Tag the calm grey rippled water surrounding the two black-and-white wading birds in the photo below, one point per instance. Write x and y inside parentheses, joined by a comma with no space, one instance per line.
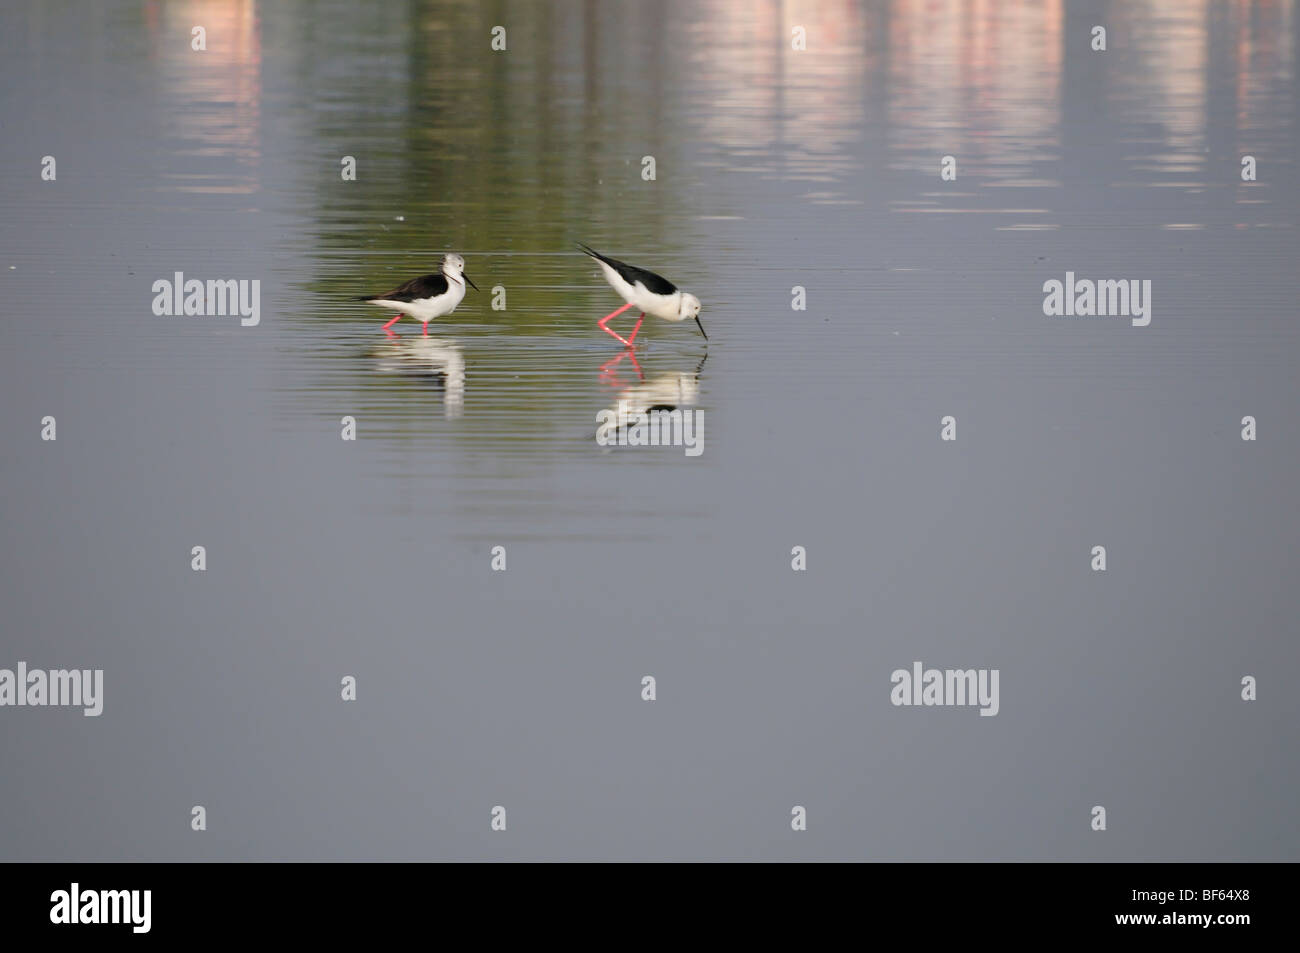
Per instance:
(774,170)
